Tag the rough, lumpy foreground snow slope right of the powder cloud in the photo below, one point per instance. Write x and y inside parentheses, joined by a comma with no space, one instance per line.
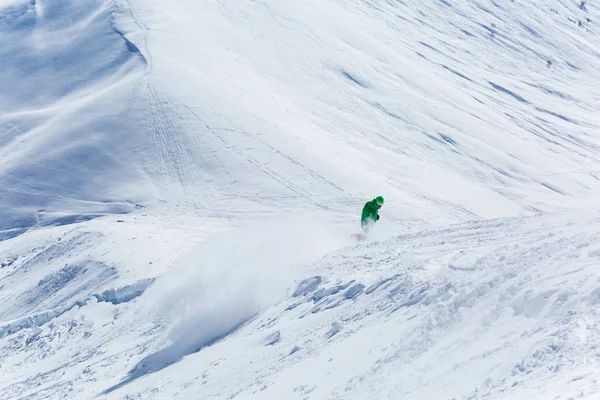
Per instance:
(494,309)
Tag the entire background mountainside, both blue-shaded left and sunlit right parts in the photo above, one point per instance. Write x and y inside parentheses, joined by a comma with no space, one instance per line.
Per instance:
(455,111)
